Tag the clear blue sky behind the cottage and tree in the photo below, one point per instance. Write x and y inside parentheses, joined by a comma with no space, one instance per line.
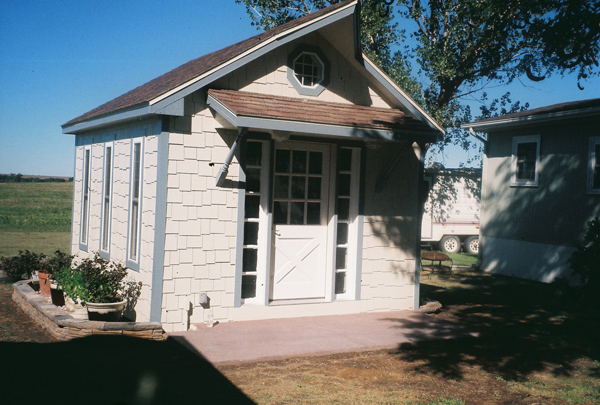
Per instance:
(62,58)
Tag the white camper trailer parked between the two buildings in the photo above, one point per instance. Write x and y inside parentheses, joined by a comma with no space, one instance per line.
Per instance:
(451,217)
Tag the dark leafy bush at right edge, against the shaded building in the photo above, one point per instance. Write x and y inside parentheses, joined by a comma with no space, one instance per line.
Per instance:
(585,262)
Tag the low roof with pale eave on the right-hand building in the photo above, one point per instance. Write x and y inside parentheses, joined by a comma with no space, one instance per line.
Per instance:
(552,112)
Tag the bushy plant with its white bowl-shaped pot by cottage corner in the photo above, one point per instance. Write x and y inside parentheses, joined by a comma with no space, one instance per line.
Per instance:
(105,290)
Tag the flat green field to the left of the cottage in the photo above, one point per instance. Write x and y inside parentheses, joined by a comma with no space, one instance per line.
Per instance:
(35,216)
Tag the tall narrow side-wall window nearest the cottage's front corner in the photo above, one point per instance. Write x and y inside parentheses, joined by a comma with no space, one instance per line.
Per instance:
(135,196)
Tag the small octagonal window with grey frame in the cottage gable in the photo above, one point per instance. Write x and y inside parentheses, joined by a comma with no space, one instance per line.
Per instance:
(308,70)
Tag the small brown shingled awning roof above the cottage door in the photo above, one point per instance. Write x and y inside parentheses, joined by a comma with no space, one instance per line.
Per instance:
(245,109)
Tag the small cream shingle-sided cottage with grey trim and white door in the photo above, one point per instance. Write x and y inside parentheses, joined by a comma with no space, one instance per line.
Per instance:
(296,126)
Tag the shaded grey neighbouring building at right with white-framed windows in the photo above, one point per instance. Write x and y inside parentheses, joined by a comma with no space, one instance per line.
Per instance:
(541,185)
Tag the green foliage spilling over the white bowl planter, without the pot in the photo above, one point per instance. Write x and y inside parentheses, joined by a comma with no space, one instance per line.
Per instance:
(96,279)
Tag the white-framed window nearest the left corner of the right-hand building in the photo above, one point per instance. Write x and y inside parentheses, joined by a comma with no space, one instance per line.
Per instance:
(525,160)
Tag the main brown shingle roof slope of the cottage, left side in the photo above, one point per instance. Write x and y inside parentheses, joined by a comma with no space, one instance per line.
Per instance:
(192,69)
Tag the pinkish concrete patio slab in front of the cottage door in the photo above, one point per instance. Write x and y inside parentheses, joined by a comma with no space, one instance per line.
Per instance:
(248,341)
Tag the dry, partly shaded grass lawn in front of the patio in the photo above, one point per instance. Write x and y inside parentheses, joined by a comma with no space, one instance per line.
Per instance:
(536,347)
